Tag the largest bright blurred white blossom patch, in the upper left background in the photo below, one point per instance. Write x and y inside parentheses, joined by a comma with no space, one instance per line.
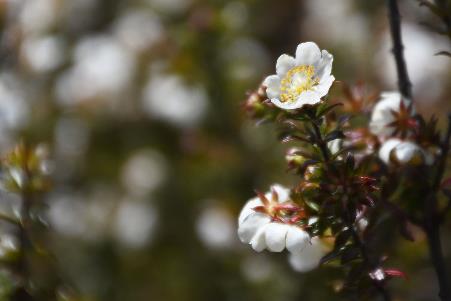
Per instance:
(103,69)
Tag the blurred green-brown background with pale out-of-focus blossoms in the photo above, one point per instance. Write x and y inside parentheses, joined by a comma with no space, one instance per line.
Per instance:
(140,103)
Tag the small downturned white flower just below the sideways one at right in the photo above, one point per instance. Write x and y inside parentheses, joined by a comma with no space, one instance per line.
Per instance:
(404,152)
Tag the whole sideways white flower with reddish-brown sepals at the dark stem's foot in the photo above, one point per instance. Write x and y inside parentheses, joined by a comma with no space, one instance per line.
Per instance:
(391,114)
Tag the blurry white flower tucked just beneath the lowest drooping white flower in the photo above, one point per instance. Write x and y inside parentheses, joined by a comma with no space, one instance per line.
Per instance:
(309,258)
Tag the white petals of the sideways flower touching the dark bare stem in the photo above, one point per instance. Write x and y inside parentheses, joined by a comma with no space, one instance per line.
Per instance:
(383,113)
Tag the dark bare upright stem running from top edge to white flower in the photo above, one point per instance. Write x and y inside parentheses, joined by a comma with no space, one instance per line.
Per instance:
(405,87)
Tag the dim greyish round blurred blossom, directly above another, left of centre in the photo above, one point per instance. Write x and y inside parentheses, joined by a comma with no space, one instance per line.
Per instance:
(143,172)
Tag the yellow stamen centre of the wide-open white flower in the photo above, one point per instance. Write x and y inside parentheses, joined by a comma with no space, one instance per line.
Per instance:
(297,80)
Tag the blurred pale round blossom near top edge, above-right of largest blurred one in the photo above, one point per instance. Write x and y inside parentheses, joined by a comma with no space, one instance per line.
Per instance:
(139,30)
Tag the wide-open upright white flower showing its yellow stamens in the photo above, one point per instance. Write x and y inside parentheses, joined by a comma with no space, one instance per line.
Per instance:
(302,80)
